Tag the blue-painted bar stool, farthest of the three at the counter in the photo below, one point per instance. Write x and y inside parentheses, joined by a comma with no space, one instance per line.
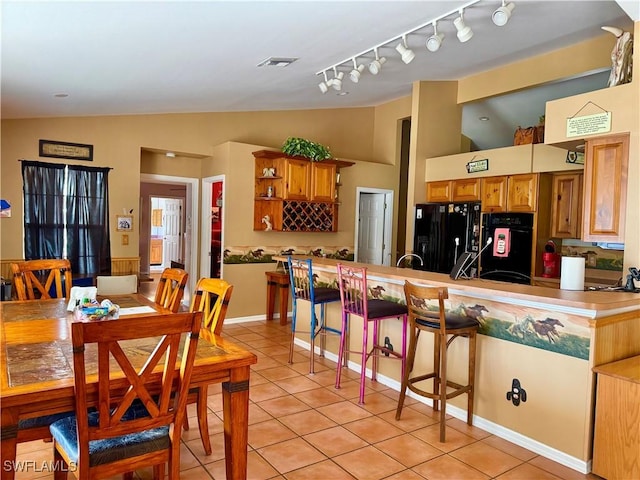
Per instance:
(302,281)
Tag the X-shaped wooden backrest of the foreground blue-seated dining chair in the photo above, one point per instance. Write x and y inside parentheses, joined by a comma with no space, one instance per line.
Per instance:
(132,353)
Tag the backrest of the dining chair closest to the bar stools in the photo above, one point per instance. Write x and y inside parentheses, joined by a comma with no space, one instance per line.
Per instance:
(212,298)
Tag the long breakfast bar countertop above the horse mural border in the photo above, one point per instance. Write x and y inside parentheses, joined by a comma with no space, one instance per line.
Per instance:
(593,304)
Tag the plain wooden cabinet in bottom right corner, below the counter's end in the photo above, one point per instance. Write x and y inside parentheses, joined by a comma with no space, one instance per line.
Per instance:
(616,440)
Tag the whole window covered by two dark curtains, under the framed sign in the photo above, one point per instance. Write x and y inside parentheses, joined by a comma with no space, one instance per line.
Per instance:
(66,215)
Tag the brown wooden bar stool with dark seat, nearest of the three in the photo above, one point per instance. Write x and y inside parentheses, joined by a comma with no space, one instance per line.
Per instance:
(446,328)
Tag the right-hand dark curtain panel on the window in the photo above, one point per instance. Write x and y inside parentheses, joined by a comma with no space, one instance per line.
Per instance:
(88,245)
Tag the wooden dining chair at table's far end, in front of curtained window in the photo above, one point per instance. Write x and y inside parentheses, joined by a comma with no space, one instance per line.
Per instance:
(49,278)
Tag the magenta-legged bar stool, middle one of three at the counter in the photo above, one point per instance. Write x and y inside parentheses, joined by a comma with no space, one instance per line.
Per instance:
(355,301)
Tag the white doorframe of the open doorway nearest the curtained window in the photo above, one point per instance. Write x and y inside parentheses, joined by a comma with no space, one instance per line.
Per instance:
(191,234)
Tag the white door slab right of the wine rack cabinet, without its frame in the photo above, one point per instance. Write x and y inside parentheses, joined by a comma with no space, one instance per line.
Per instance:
(371,228)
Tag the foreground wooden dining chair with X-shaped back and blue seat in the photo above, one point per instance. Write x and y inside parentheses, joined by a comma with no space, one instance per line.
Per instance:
(140,410)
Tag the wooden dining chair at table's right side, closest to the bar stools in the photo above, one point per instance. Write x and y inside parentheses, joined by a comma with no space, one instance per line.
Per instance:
(211,297)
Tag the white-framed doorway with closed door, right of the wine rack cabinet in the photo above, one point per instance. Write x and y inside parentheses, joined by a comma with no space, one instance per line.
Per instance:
(373,225)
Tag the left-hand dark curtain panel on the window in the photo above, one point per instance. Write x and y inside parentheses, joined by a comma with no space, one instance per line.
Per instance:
(43,184)
